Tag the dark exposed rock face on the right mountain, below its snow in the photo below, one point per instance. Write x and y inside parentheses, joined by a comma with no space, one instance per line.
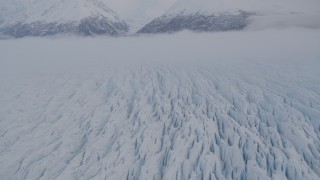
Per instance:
(196,22)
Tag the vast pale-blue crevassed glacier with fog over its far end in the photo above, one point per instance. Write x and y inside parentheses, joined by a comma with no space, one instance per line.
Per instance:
(230,105)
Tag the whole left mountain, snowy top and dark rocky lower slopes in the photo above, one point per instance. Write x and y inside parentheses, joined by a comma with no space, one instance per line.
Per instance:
(41,18)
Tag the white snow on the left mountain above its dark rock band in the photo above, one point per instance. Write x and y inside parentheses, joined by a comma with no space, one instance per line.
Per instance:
(63,11)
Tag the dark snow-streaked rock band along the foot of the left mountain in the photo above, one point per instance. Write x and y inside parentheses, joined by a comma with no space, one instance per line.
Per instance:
(87,26)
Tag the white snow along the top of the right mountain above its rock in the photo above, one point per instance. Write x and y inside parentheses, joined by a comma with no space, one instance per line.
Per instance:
(256,6)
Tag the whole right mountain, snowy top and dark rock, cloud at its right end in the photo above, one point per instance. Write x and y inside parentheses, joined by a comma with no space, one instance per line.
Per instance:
(223,15)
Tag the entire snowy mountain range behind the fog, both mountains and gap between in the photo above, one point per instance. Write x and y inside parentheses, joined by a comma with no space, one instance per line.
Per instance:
(20,18)
